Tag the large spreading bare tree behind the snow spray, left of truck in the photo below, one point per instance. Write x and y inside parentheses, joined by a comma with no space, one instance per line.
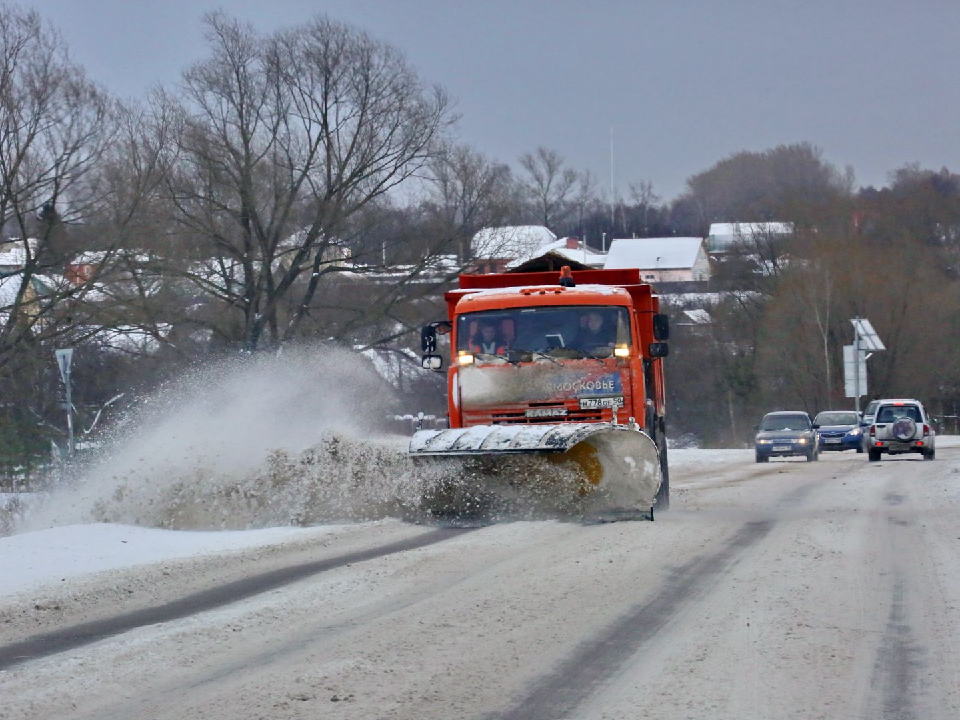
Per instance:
(281,140)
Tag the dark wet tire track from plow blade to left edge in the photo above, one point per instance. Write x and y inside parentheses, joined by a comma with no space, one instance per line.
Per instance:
(69,638)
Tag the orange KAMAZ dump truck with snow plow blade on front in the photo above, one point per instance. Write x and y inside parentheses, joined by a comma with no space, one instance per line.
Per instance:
(562,369)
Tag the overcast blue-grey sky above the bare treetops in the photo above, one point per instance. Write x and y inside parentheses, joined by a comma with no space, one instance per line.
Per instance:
(682,84)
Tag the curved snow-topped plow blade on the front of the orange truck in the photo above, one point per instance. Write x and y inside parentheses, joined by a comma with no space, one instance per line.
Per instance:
(606,471)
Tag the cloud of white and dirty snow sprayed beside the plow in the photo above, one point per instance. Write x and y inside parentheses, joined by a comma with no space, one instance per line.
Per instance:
(247,442)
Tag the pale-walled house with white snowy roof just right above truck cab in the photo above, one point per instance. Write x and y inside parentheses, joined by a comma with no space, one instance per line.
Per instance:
(669,259)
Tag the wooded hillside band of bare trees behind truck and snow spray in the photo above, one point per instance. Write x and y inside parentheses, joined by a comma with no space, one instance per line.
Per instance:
(304,185)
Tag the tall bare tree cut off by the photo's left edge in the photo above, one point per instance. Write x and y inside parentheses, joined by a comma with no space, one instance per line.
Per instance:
(55,127)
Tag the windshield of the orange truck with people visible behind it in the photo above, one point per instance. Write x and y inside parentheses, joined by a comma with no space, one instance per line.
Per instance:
(558,331)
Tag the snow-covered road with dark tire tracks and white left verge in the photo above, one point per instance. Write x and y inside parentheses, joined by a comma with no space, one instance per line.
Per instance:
(790,589)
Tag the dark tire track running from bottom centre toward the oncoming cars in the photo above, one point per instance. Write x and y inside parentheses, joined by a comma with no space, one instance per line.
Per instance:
(576,678)
